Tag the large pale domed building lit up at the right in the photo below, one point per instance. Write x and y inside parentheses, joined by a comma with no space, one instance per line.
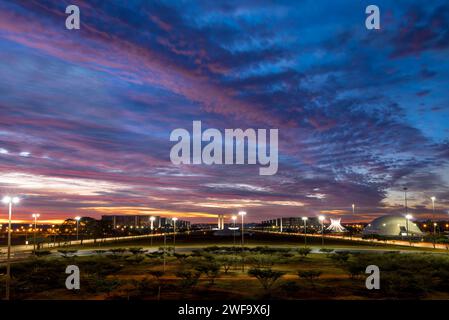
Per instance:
(392,226)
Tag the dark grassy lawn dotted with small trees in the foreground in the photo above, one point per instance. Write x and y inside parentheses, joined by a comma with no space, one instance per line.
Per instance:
(191,275)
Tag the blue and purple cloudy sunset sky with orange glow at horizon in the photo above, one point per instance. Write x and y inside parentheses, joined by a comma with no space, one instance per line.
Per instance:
(86,115)
